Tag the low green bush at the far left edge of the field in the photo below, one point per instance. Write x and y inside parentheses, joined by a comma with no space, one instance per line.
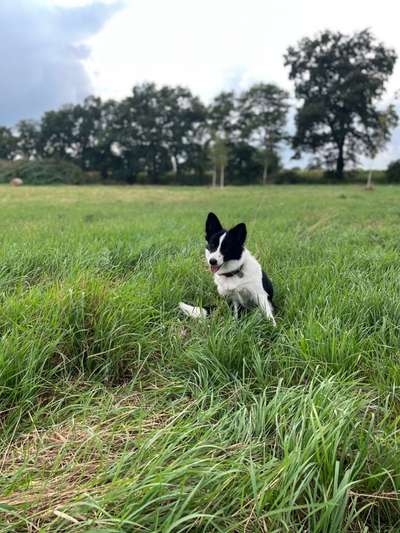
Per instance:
(42,172)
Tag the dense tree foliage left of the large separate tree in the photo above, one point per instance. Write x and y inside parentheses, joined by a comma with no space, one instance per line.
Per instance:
(162,135)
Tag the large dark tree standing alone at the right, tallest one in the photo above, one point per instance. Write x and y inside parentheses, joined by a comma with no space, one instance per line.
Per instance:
(339,80)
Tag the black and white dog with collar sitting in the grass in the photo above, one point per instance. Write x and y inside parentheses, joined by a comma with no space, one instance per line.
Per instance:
(237,274)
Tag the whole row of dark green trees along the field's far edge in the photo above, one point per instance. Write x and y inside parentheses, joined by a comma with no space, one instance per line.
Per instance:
(339,83)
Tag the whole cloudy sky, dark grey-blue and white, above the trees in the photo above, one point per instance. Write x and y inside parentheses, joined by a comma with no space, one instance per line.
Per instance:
(58,51)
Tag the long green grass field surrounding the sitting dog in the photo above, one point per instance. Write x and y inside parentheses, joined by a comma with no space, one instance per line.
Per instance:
(120,415)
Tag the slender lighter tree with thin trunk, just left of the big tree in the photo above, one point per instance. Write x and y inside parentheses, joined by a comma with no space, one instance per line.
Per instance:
(263,115)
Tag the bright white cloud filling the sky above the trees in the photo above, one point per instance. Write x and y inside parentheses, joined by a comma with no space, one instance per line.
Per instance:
(208,45)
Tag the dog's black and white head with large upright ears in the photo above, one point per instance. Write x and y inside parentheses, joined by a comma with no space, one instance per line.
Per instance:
(224,247)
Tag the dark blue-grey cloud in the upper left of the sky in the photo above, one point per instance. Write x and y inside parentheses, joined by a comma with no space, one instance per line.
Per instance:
(42,52)
